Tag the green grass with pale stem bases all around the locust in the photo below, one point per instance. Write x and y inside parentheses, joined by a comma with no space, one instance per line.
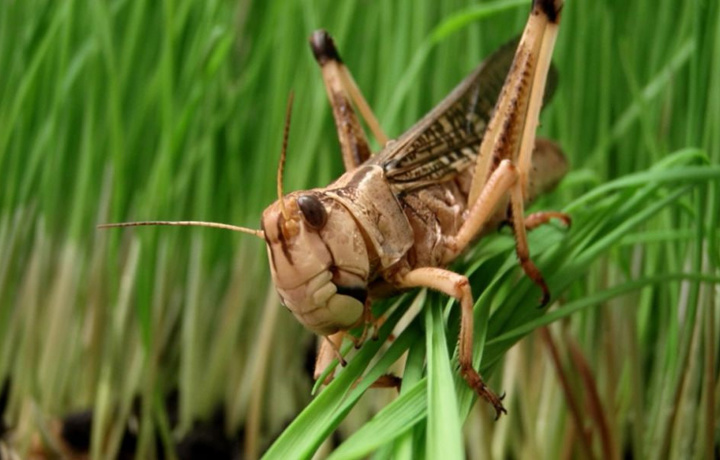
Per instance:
(120,110)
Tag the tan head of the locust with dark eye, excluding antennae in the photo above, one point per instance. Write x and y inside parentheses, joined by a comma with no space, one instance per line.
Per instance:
(318,259)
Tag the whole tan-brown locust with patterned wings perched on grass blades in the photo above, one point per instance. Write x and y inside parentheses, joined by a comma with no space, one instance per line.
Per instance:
(396,219)
